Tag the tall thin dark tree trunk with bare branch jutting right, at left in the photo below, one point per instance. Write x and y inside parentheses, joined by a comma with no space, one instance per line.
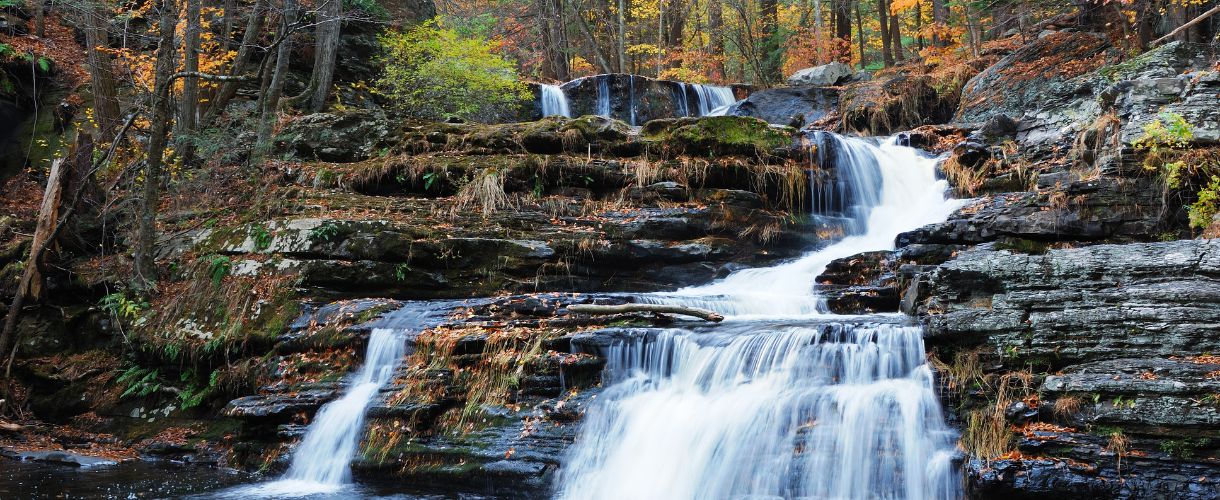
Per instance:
(146,268)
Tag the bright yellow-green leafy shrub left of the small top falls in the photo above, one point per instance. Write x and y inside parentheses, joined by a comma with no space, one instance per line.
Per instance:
(434,73)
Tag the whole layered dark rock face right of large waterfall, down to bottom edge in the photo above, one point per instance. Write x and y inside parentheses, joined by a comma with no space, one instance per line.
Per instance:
(1118,341)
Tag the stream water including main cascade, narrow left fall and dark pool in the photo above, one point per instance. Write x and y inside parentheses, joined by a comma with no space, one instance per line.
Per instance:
(781,401)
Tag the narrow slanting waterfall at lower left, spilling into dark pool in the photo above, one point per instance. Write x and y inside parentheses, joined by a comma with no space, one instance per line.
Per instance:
(321,464)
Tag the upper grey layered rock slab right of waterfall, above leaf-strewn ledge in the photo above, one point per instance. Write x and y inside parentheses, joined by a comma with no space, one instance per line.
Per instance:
(1078,305)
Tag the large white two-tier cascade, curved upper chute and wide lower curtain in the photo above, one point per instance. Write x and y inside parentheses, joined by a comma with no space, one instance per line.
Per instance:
(781,401)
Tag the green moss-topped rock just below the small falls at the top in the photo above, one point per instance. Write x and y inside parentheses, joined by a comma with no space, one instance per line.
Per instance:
(718,136)
